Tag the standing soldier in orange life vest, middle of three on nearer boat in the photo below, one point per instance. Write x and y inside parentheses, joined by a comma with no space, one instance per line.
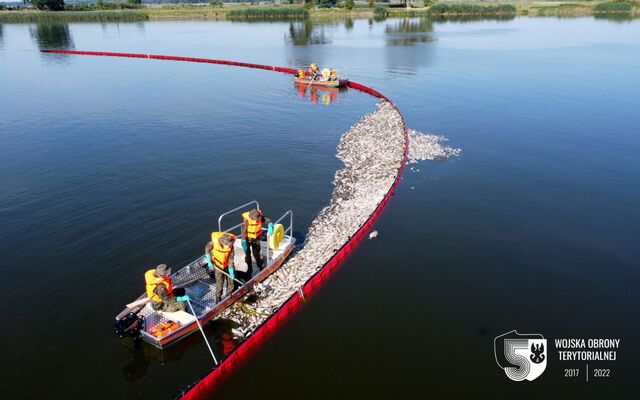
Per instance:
(219,254)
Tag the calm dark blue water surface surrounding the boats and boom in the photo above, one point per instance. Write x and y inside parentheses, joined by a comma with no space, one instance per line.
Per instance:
(111,166)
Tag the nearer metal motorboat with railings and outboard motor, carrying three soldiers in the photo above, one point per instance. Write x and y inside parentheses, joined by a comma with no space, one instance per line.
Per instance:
(162,329)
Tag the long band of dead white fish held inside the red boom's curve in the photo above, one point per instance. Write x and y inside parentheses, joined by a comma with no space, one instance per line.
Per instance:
(372,151)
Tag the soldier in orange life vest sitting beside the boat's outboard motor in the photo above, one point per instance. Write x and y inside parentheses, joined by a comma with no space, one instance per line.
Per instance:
(161,291)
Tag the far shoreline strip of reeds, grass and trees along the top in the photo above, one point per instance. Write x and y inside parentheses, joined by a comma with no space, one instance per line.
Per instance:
(133,10)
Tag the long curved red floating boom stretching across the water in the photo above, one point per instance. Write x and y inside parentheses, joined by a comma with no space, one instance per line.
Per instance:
(203,387)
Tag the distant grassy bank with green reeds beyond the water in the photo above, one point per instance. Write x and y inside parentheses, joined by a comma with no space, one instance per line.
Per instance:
(445,9)
